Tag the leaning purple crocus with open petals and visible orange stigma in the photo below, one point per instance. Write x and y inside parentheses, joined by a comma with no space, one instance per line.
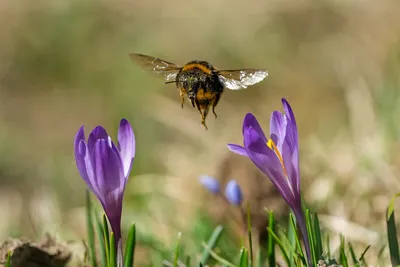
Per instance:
(277,157)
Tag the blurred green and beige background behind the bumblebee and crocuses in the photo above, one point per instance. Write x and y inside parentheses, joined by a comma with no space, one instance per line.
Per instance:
(65,64)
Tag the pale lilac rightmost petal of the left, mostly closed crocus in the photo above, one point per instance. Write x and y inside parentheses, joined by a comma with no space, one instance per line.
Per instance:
(126,141)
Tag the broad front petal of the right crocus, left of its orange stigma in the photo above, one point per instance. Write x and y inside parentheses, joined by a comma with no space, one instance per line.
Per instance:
(267,161)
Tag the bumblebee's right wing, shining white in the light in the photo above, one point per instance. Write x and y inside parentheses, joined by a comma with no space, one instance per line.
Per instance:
(240,79)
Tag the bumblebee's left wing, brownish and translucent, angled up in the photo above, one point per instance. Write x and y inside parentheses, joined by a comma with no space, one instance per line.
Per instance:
(156,65)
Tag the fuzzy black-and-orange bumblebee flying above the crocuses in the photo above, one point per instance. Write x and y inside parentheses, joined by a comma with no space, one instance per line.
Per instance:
(200,81)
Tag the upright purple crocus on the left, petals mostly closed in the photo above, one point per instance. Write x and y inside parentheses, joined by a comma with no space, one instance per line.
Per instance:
(105,168)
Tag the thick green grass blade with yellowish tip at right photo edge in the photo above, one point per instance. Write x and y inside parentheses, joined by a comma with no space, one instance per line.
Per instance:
(392,233)
